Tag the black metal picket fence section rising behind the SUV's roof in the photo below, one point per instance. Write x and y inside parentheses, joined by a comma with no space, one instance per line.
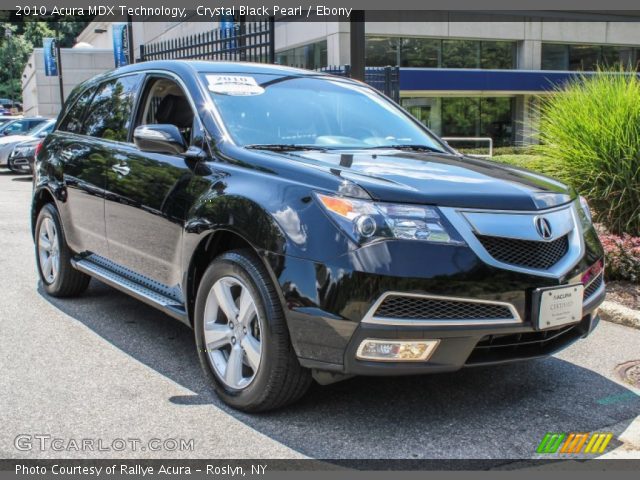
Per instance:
(245,42)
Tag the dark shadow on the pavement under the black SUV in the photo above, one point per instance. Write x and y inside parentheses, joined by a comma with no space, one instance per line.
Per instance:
(500,412)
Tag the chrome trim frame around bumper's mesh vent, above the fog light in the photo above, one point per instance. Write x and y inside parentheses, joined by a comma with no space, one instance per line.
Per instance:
(427,322)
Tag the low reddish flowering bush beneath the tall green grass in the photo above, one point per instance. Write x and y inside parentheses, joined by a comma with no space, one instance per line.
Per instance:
(622,255)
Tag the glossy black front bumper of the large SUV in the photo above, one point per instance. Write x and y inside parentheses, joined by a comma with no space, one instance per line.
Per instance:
(325,307)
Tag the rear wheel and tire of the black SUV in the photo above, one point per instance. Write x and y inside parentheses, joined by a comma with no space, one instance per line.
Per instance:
(59,278)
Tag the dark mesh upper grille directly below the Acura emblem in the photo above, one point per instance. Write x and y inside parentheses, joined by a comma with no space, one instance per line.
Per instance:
(526,253)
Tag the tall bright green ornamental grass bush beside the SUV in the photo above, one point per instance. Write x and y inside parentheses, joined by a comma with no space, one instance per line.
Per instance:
(592,128)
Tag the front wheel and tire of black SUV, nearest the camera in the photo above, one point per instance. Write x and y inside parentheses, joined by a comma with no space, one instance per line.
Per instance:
(278,379)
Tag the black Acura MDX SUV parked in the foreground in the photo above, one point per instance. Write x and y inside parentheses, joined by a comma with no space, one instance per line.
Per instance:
(306,227)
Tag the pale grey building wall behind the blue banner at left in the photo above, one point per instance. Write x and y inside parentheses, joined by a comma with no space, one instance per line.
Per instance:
(41,94)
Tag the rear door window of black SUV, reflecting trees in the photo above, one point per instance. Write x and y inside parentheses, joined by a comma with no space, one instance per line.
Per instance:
(109,115)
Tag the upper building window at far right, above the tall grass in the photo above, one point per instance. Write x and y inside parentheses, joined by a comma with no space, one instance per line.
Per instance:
(556,56)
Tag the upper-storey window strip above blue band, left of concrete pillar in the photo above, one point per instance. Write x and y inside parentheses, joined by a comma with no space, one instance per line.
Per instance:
(438,53)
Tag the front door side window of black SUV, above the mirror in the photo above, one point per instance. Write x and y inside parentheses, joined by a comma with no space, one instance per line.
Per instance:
(166,103)
